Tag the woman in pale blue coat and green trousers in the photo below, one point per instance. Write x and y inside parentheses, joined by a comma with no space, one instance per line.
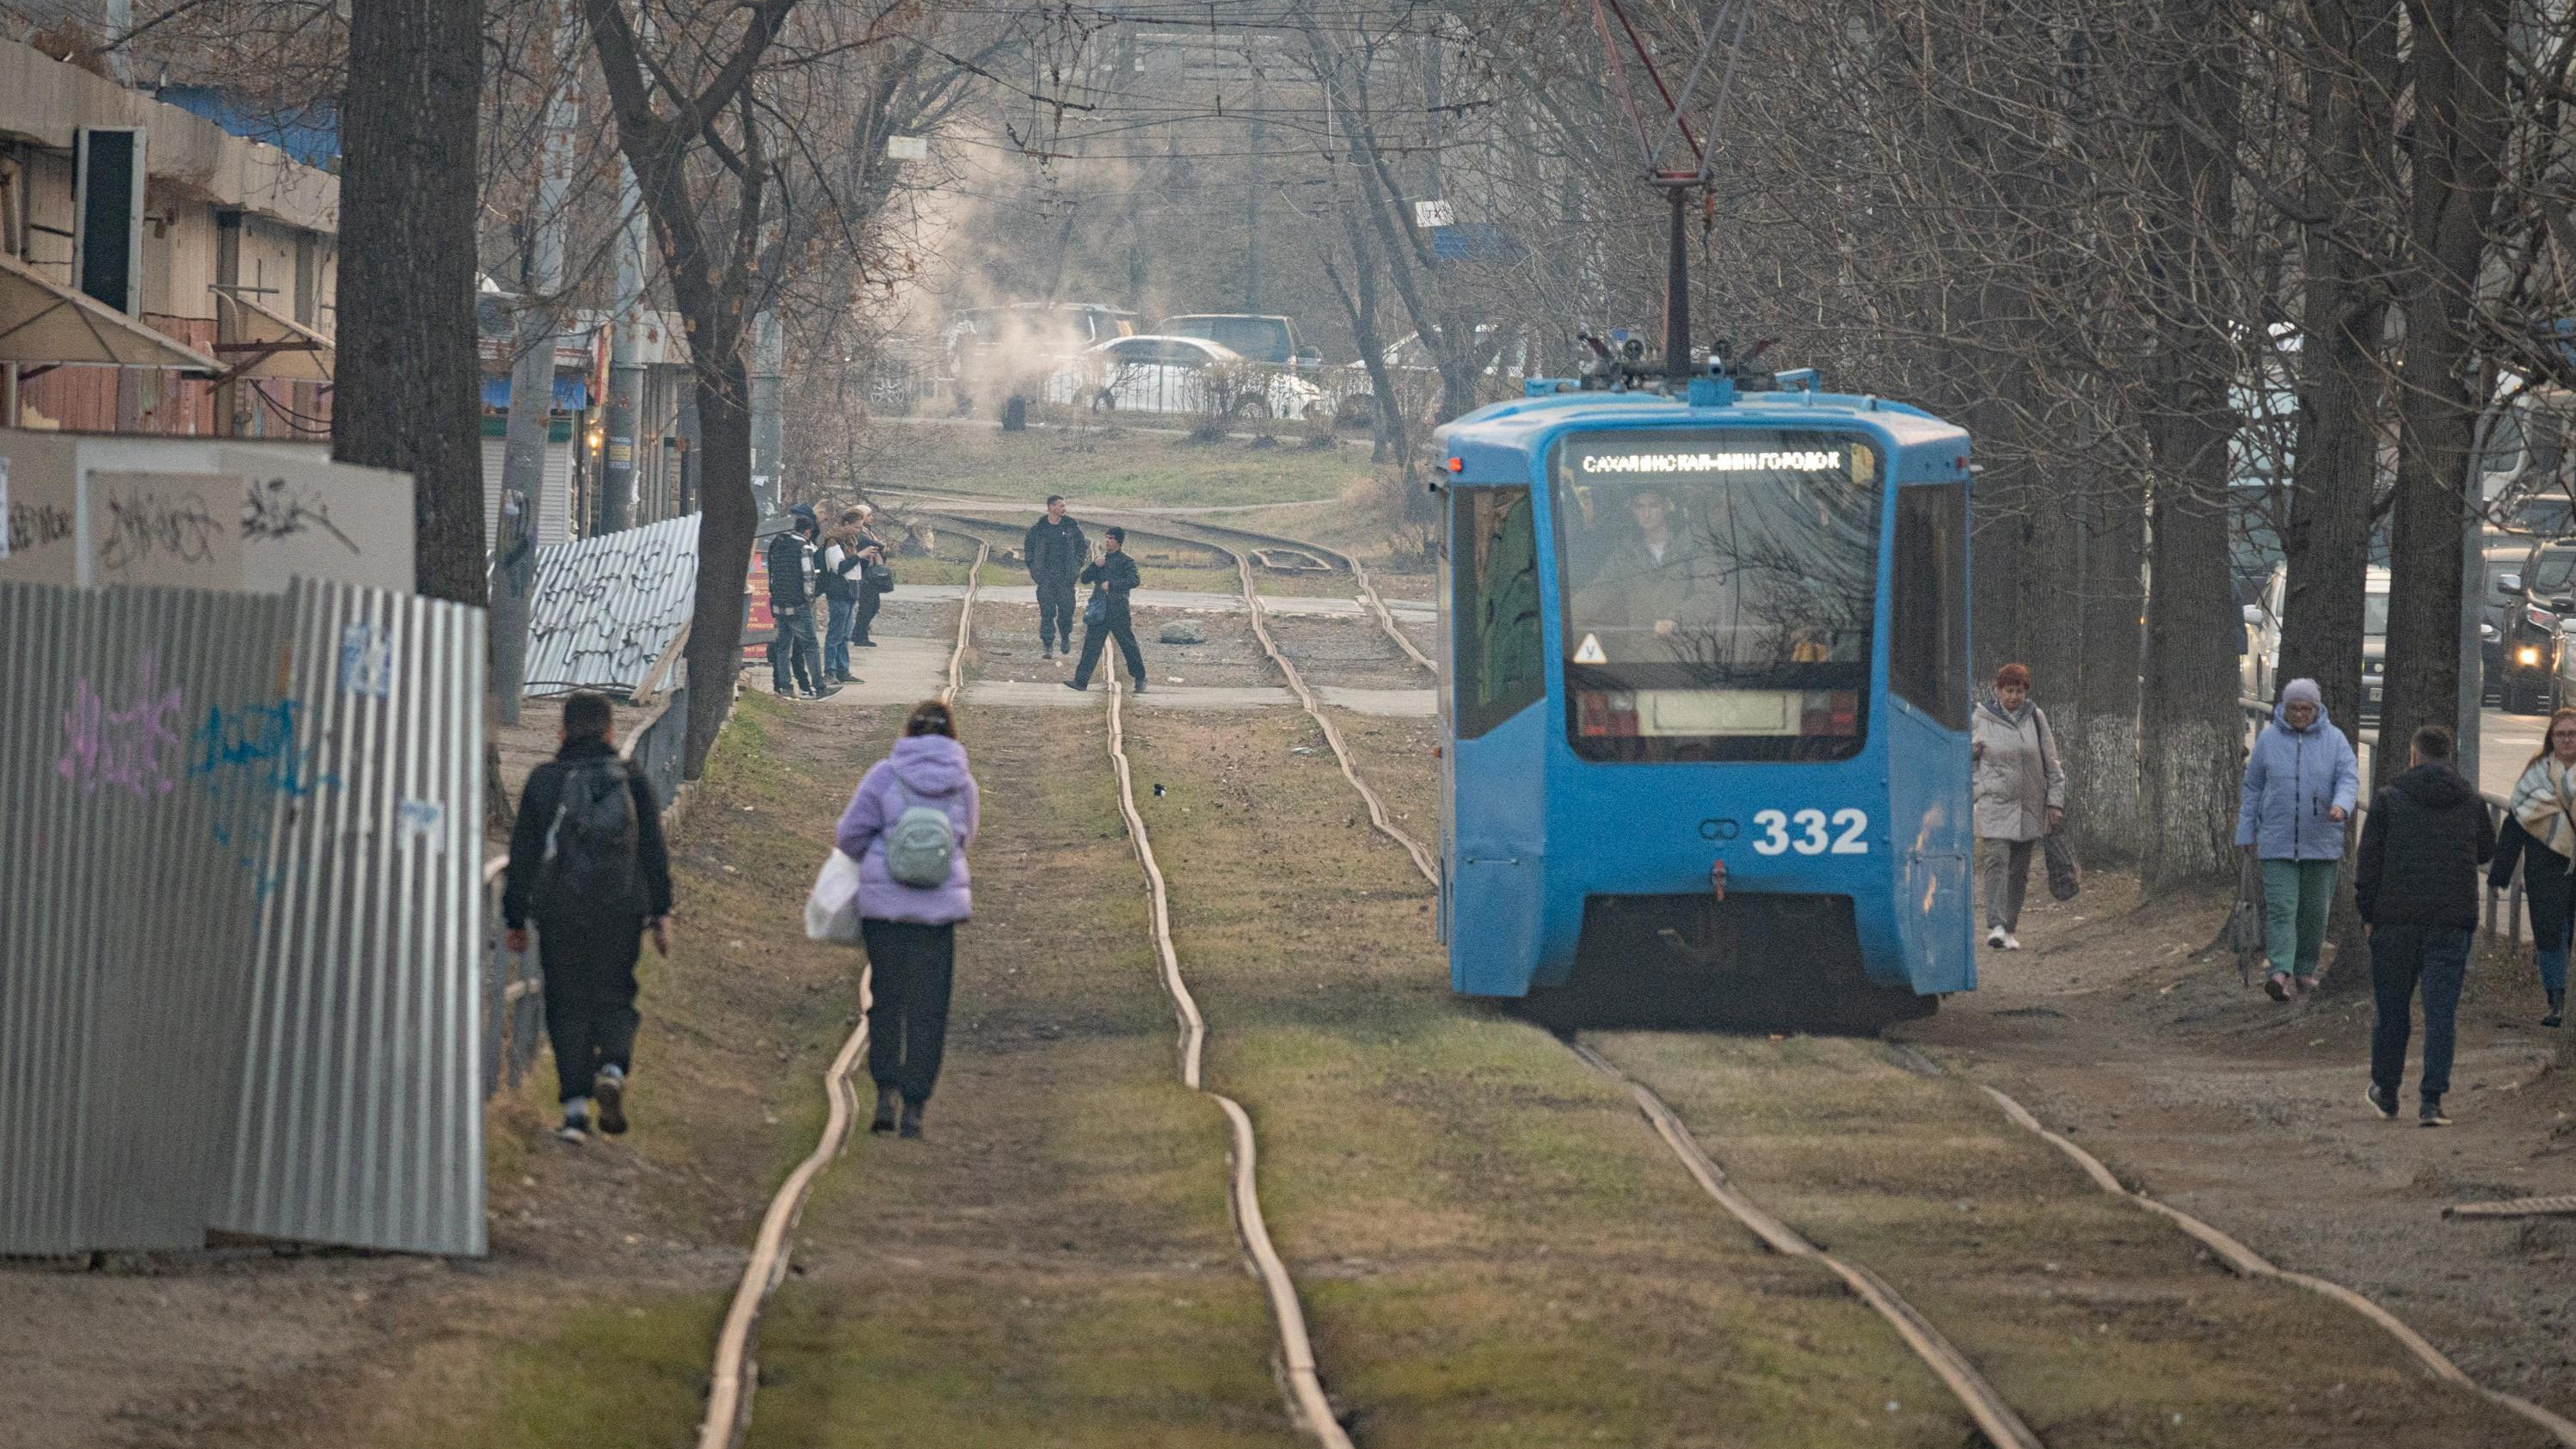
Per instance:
(2302,786)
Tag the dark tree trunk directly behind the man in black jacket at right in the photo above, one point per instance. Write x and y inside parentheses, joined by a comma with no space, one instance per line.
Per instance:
(2459,138)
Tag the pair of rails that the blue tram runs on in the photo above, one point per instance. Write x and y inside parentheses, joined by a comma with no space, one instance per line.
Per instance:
(1980,1399)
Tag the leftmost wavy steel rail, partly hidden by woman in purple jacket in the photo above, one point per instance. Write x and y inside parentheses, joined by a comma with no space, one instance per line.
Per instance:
(735,1371)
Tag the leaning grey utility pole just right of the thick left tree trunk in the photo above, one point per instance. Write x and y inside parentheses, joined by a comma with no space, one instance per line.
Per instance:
(532,385)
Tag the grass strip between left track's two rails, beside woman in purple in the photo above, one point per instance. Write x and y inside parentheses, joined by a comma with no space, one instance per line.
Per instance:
(1055,1262)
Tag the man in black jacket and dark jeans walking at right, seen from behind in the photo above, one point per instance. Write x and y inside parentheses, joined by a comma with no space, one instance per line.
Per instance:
(2418,889)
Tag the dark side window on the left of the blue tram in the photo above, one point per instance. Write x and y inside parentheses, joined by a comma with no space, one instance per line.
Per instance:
(1501,665)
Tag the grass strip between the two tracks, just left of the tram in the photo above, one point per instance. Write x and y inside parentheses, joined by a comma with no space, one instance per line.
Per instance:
(1490,1242)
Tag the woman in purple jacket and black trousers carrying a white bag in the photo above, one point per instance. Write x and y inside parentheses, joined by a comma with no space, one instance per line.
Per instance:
(911,930)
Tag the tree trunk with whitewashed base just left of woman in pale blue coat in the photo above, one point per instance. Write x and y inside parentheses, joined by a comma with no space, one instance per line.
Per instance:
(2191,722)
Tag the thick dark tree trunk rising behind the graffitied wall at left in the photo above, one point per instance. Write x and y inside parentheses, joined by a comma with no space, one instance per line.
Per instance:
(408,199)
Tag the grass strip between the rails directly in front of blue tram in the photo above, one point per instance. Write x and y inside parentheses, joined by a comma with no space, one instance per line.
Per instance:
(2096,1319)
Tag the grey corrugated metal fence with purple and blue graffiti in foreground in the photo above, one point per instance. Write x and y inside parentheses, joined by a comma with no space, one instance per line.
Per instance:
(241,923)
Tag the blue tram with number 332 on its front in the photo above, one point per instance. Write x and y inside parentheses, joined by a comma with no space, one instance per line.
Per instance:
(1707,704)
